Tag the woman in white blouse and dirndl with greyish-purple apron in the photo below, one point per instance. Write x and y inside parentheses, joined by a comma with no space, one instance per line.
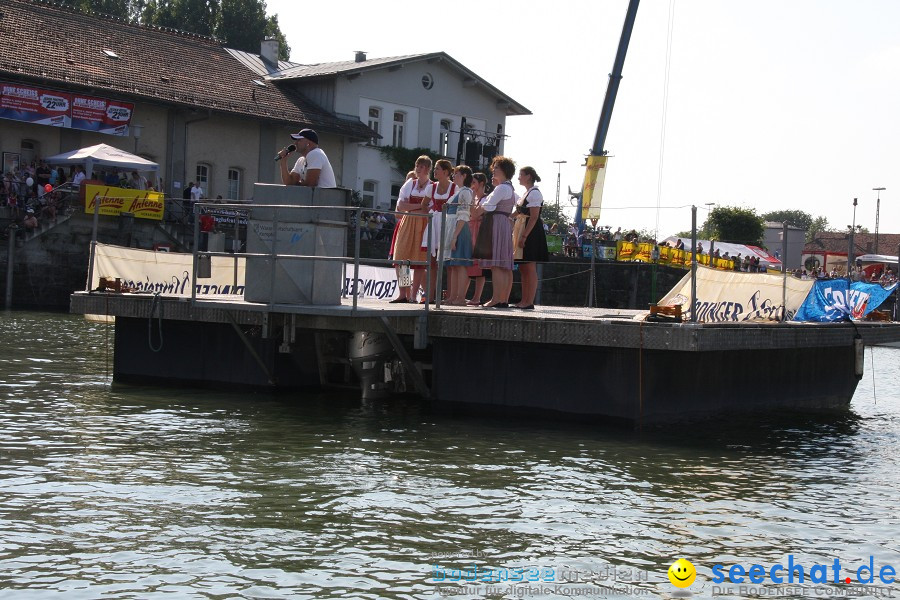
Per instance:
(494,247)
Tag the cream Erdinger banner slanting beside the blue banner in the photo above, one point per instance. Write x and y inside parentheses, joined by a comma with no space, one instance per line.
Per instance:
(724,296)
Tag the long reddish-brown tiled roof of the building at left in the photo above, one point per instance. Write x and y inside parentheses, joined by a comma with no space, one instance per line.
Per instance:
(52,45)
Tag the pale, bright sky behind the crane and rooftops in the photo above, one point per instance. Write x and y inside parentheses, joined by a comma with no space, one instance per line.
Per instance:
(771,104)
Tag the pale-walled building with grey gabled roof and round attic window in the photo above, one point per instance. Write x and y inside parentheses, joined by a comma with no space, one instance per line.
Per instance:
(416,101)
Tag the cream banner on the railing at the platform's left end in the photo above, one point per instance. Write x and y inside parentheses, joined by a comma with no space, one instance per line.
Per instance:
(166,273)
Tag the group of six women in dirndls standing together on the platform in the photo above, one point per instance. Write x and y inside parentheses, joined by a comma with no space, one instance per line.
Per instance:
(493,231)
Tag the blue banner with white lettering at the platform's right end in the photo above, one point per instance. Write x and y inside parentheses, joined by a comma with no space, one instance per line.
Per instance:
(838,300)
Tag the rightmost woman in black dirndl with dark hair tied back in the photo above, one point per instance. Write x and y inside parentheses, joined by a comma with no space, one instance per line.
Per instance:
(529,239)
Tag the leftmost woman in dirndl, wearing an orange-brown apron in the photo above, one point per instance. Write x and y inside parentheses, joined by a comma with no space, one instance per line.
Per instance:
(413,200)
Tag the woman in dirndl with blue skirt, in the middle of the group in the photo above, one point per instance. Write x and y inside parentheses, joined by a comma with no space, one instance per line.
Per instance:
(459,240)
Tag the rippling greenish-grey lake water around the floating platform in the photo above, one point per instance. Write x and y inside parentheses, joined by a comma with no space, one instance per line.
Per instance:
(118,491)
